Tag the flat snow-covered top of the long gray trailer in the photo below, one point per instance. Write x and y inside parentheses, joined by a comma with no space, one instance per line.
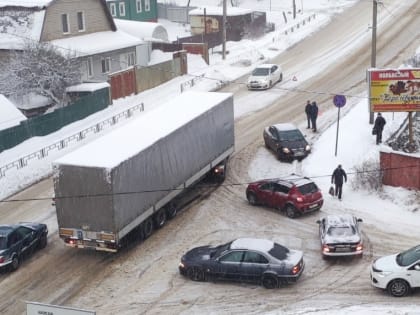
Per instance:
(118,146)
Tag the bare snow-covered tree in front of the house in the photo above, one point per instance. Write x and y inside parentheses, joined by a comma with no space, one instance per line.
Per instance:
(39,69)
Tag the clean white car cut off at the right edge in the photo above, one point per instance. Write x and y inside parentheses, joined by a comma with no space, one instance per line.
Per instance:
(398,273)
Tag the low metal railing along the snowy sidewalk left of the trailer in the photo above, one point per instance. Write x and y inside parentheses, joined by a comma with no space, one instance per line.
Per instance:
(79,136)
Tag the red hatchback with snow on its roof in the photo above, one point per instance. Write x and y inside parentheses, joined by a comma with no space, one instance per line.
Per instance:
(294,194)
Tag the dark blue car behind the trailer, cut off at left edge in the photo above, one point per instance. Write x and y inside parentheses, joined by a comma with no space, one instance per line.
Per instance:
(19,241)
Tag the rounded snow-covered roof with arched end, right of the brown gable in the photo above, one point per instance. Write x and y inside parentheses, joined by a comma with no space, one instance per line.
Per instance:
(147,31)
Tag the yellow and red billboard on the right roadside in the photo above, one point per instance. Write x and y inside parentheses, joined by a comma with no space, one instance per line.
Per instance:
(394,90)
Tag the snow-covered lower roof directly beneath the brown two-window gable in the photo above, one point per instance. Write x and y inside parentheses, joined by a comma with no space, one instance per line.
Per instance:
(95,43)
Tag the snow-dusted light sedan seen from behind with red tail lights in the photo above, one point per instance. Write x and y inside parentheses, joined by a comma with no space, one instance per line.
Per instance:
(340,235)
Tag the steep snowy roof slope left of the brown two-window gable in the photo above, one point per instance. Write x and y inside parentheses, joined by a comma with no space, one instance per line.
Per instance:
(14,31)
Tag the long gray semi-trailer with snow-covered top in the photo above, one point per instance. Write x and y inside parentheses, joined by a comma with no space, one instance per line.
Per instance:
(126,181)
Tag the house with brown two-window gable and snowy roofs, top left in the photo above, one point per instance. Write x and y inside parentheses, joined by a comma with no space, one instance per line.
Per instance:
(81,29)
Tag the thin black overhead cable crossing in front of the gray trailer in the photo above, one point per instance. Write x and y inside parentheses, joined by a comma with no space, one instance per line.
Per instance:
(198,186)
